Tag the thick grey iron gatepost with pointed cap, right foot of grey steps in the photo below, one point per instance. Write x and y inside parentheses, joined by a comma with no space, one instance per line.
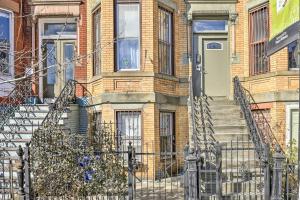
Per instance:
(277,175)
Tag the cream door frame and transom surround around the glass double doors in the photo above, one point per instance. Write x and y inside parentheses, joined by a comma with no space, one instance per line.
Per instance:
(42,37)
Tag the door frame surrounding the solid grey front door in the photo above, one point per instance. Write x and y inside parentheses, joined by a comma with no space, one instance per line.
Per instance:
(199,38)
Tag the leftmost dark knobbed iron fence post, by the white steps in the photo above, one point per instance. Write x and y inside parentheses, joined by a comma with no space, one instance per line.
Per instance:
(20,173)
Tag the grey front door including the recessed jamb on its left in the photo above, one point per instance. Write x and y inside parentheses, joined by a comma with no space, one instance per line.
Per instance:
(212,60)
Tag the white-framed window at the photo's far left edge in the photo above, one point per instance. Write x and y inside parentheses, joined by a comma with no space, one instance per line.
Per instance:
(6,41)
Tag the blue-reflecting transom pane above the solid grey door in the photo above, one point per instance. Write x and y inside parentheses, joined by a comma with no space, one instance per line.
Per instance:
(209,25)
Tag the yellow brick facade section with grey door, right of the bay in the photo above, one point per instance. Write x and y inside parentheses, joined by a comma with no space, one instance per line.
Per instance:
(240,30)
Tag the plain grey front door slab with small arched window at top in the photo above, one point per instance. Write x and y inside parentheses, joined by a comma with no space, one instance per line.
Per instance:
(216,67)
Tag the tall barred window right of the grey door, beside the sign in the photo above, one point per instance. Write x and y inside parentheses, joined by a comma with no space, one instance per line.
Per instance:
(259,35)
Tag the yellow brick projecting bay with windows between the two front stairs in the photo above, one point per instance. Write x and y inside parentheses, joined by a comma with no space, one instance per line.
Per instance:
(139,70)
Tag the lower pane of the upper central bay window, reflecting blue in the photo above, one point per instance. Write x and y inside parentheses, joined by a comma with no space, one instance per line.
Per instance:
(128,53)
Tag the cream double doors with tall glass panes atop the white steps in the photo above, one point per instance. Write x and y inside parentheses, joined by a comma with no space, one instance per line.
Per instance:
(58,65)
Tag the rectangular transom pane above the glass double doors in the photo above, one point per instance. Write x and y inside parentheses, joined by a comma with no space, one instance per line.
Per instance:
(60,28)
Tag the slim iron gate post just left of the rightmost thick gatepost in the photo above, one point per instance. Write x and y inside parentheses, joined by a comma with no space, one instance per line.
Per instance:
(267,185)
